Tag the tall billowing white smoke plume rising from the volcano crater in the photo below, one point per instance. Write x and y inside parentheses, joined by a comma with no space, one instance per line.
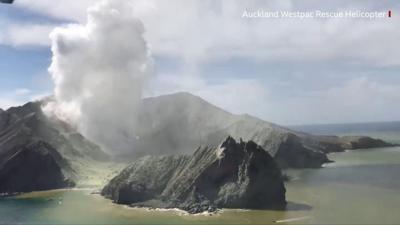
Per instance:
(99,70)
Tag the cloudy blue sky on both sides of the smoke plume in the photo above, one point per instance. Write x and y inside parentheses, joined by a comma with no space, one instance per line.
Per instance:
(284,71)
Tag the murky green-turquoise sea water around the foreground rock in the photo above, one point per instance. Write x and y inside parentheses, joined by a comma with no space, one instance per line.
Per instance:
(361,187)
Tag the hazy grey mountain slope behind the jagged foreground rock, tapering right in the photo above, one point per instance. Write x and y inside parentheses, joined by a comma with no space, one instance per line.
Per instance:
(174,123)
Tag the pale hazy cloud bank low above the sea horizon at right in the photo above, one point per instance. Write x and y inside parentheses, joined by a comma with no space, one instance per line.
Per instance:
(356,100)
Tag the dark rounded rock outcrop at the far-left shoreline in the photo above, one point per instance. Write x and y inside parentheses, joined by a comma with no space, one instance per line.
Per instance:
(33,166)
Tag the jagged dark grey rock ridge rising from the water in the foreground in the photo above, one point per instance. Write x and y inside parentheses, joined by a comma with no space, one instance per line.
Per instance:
(234,175)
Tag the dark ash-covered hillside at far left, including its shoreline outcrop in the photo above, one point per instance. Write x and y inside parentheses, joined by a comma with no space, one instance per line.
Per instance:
(37,152)
